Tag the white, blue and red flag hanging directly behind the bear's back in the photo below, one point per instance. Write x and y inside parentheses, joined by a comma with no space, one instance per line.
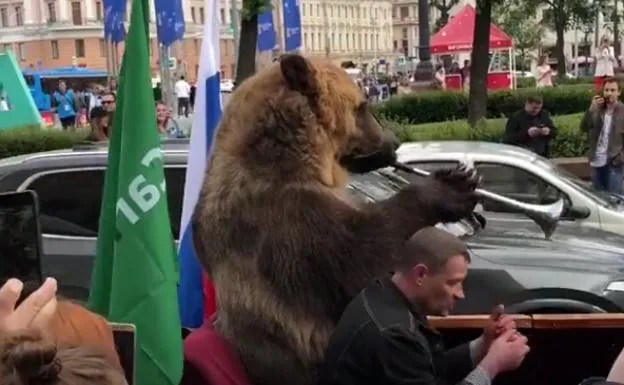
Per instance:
(196,296)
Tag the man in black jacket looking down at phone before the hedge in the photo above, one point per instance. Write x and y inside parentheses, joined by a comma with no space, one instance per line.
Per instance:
(531,127)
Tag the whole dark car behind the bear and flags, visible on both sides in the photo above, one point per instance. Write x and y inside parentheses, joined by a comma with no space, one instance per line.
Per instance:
(510,264)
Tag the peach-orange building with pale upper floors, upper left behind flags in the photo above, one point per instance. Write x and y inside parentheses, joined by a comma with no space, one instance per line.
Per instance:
(53,33)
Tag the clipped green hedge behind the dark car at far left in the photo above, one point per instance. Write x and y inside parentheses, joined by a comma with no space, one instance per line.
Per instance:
(25,140)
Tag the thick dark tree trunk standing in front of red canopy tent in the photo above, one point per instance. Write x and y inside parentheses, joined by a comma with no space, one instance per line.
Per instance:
(477,100)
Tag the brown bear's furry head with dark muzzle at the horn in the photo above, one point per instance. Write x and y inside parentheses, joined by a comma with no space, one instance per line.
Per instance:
(304,116)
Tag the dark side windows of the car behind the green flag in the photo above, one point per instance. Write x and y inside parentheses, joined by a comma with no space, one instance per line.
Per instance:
(69,201)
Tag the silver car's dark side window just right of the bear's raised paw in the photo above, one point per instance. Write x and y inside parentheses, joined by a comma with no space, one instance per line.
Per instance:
(516,183)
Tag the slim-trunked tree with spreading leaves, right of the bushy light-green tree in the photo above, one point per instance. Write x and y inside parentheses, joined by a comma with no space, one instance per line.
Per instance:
(560,16)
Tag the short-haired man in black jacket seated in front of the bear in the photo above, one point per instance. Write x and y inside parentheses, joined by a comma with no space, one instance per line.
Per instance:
(383,337)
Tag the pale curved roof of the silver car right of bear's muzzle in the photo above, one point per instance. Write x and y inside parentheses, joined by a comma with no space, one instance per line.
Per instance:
(433,148)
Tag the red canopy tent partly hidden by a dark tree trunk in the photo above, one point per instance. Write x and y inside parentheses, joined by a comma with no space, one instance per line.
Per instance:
(457,35)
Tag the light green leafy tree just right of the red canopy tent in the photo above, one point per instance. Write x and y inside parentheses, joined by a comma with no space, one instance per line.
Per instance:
(520,22)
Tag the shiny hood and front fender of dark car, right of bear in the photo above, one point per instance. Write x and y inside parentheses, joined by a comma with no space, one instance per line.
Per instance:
(514,263)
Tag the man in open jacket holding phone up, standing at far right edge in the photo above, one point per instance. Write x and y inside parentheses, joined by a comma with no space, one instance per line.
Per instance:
(604,124)
